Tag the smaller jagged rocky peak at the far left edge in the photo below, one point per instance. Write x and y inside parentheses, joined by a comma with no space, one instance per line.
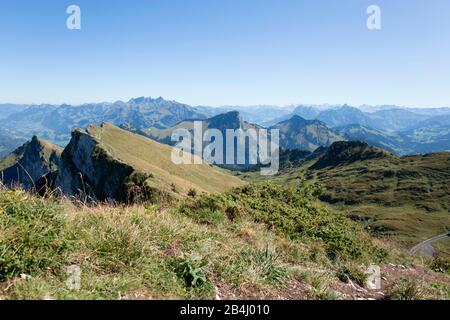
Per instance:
(26,165)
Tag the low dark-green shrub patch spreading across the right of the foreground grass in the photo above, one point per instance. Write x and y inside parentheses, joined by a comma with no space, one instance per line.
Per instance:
(293,213)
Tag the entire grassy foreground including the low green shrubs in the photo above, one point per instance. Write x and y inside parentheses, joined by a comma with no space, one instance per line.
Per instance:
(263,241)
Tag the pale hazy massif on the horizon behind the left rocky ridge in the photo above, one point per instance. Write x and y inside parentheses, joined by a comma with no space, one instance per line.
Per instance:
(55,123)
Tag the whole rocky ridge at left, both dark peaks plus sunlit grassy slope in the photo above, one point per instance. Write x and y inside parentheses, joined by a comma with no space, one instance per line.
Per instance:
(107,163)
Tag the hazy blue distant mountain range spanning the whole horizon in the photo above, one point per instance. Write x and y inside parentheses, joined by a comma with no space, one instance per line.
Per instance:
(306,127)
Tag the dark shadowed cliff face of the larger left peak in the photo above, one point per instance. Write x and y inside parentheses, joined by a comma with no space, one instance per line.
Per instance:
(88,170)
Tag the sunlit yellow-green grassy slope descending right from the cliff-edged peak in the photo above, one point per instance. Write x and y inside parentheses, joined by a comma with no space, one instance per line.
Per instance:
(155,158)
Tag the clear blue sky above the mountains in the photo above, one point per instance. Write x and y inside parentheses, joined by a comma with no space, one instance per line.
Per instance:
(226,52)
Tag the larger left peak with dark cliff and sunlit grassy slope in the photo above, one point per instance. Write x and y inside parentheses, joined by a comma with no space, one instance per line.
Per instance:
(107,162)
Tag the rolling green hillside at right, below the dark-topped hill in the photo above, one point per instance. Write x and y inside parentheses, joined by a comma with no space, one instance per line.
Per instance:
(408,198)
